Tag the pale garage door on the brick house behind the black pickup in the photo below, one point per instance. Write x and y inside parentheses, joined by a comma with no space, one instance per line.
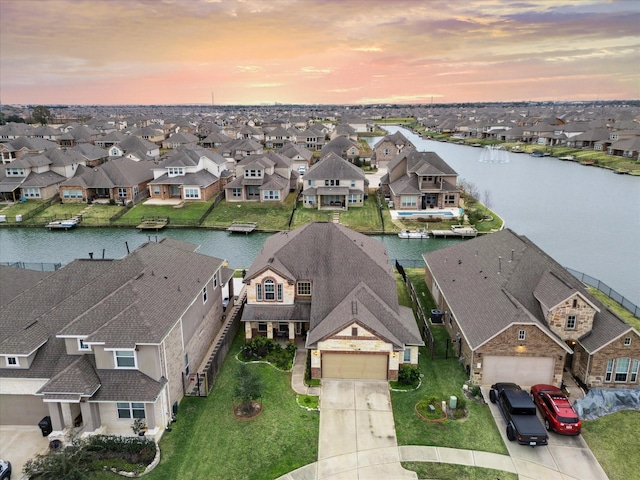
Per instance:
(521,370)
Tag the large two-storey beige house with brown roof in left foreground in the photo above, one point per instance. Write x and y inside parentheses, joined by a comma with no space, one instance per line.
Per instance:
(99,343)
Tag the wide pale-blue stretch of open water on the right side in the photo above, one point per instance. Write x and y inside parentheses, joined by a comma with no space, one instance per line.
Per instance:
(586,218)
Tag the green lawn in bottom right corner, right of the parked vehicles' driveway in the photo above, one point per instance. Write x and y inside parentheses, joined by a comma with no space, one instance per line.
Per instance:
(613,439)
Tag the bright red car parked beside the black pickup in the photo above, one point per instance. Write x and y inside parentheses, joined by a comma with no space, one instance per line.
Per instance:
(556,409)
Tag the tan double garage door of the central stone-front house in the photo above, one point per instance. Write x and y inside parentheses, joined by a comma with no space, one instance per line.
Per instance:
(371,366)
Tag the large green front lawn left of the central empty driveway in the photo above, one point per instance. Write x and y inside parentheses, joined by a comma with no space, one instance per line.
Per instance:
(208,442)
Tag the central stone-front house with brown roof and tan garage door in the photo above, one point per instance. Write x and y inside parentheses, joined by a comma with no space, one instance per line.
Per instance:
(335,288)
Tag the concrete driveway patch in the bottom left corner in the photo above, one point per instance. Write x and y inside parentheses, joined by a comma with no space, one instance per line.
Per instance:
(19,444)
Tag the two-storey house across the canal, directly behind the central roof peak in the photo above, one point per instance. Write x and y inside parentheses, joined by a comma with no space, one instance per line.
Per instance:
(334,183)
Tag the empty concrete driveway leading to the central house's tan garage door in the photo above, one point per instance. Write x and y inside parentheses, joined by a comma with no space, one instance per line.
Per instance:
(357,434)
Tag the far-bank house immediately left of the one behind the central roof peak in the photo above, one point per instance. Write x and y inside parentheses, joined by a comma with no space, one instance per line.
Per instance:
(262,178)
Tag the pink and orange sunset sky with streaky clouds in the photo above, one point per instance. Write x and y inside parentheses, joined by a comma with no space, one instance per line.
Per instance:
(249,52)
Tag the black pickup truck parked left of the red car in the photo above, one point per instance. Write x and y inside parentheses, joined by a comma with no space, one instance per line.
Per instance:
(519,413)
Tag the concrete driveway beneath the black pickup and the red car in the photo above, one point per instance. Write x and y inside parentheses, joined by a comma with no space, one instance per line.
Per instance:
(569,456)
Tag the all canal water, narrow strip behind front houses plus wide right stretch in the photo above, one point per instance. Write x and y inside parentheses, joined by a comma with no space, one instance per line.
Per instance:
(586,218)
